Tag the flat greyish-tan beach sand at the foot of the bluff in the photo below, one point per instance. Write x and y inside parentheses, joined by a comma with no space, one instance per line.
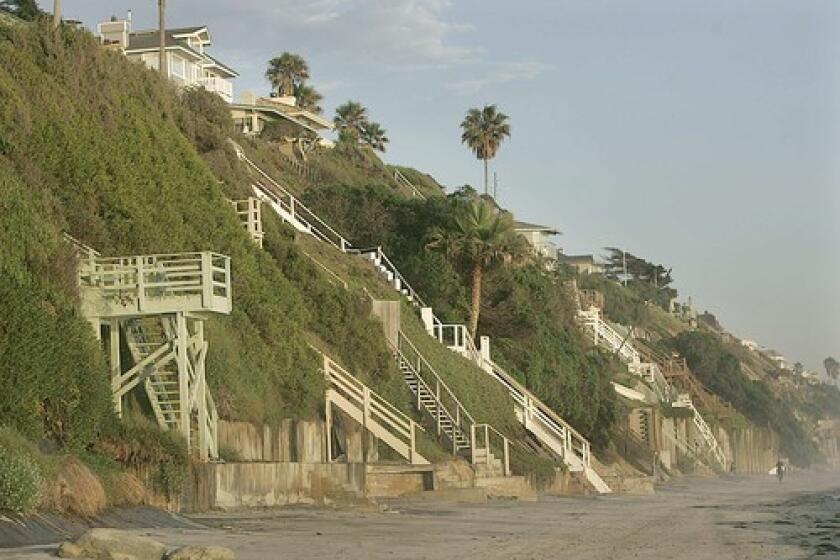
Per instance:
(733,517)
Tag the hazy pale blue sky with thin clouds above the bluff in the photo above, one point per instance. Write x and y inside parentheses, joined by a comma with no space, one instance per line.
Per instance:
(702,135)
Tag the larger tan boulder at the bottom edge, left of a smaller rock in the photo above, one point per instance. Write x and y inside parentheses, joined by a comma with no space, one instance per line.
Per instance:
(112,544)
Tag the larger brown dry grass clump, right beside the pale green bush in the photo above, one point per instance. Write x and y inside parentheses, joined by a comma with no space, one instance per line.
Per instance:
(75,491)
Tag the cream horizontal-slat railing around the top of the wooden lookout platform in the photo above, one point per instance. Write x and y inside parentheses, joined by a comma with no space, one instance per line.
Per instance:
(200,279)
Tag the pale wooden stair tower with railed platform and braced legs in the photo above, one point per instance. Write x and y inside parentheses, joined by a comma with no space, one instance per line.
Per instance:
(157,305)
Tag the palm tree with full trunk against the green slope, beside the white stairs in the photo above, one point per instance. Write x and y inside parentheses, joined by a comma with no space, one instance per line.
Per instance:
(481,237)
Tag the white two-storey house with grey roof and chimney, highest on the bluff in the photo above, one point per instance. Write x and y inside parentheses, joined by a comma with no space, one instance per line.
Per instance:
(187,60)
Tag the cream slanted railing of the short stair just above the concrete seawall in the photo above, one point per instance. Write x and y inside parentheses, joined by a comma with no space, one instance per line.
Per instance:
(374,413)
